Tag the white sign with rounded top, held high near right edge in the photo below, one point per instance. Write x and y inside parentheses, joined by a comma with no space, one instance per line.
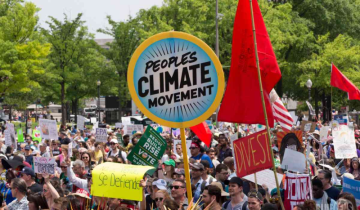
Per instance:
(344,142)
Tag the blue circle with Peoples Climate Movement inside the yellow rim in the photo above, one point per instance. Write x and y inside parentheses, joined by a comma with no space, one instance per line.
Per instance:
(175,79)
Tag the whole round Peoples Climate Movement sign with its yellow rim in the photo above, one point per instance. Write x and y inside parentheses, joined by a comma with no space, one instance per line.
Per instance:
(175,79)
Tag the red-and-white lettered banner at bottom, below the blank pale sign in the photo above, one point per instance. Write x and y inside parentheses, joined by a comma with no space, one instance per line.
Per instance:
(297,189)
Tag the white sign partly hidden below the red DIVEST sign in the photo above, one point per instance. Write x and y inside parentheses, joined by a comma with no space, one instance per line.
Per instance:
(264,177)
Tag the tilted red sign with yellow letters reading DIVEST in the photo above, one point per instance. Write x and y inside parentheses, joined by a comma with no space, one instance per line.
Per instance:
(252,154)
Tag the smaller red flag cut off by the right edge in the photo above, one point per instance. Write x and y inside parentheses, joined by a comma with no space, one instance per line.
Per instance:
(343,83)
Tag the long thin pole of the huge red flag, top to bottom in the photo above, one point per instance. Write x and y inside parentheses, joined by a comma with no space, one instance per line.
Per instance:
(263,104)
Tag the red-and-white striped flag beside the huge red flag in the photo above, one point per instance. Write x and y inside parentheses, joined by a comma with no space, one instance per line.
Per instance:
(281,114)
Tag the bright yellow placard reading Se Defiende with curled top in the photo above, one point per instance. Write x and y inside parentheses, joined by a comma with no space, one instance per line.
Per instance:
(114,180)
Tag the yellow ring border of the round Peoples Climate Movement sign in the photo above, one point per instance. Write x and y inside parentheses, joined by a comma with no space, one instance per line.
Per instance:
(203,46)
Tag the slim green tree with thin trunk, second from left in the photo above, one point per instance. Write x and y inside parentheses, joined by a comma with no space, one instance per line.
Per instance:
(65,38)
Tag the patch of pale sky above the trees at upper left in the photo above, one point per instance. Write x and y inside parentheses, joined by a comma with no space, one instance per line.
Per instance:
(94,11)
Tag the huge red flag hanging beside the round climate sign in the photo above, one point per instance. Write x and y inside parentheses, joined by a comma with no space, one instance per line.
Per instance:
(242,99)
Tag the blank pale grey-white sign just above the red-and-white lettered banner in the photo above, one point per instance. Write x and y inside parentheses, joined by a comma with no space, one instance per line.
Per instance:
(293,161)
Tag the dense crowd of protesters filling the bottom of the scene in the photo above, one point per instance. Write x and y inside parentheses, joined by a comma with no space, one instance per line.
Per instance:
(214,182)
